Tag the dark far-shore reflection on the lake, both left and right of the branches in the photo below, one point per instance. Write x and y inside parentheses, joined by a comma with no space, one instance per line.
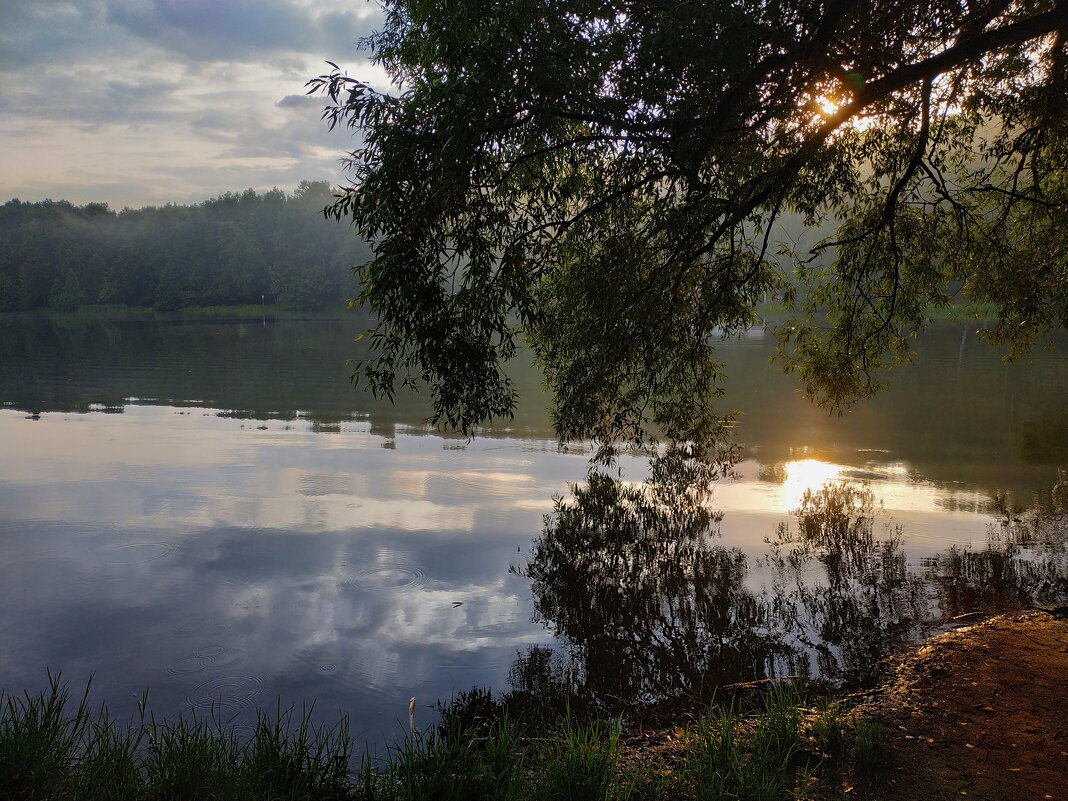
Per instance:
(957,415)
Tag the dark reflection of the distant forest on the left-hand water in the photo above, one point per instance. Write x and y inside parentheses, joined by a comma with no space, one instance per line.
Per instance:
(291,369)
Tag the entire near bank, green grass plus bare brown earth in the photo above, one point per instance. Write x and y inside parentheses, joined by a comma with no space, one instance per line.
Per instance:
(980,712)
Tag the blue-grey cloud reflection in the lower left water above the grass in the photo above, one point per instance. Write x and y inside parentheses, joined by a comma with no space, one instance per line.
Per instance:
(240,617)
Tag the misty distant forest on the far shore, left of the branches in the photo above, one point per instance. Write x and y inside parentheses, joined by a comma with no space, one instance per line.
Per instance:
(240,248)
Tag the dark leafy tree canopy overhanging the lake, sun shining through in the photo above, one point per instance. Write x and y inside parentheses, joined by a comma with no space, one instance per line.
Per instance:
(619,183)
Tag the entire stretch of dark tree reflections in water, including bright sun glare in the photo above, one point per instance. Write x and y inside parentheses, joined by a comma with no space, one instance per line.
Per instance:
(654,609)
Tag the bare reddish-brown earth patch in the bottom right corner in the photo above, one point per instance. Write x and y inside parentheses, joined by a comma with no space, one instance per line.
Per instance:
(981,713)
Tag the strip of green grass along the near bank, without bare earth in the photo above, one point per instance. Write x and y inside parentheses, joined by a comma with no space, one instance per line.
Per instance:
(56,746)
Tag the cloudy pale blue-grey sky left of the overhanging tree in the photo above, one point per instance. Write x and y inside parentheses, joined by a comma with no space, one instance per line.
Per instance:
(139,103)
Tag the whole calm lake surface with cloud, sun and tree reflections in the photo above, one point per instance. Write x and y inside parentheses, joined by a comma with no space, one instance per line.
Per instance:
(208,510)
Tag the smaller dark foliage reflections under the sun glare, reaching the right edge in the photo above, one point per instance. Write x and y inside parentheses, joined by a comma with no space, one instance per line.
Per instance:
(869,602)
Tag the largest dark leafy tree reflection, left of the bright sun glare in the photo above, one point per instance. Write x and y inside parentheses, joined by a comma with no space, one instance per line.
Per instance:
(651,607)
